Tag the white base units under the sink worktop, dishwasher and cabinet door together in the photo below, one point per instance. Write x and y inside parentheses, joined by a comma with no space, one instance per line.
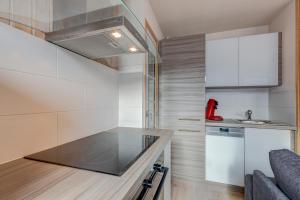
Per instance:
(229,159)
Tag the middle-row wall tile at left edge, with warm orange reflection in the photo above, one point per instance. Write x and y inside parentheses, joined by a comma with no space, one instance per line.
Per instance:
(24,93)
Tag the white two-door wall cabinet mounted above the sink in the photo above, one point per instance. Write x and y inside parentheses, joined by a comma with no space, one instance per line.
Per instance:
(248,61)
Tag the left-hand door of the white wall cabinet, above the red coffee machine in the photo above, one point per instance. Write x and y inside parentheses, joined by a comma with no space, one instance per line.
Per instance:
(222,63)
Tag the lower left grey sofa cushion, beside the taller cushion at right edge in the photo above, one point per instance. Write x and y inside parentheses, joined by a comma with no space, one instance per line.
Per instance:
(265,189)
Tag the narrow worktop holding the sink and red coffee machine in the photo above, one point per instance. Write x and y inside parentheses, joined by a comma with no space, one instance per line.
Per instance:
(236,123)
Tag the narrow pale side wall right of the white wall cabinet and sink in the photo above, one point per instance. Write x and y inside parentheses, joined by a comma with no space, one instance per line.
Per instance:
(283,99)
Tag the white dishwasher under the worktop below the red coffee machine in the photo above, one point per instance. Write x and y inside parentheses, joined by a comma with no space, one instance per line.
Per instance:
(224,156)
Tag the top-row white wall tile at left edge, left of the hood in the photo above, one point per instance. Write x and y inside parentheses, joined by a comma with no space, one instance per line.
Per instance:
(23,52)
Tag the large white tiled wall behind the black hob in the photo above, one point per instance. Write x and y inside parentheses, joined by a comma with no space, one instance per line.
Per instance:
(50,96)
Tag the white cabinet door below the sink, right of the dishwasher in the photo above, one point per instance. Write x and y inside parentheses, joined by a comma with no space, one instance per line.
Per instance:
(258,144)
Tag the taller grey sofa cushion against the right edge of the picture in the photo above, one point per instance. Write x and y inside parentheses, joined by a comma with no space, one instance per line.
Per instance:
(286,168)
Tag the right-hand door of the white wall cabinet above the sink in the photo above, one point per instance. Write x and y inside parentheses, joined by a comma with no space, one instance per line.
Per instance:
(258,60)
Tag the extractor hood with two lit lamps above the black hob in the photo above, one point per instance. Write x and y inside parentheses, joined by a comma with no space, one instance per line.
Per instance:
(99,34)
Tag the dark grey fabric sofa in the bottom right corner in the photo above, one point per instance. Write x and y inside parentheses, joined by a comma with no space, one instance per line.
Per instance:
(284,186)
